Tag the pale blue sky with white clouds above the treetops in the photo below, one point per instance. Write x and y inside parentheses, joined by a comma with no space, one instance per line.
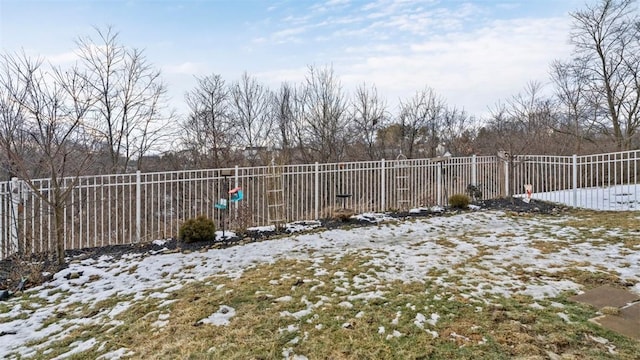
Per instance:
(473,53)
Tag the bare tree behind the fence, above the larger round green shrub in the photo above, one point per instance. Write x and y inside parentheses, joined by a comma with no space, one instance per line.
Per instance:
(207,130)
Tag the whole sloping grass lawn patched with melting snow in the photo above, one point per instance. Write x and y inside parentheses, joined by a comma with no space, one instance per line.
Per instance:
(477,285)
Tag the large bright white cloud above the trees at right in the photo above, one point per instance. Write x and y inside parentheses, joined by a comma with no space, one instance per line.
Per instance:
(473,70)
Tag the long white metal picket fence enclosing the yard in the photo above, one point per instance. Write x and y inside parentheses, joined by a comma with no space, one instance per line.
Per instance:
(140,207)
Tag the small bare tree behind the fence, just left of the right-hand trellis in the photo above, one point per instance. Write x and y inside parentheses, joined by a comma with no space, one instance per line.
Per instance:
(369,115)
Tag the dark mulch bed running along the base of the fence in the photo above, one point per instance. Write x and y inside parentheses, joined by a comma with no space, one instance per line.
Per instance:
(11,269)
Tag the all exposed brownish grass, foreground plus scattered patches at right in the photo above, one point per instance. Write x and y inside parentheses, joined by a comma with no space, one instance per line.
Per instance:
(340,326)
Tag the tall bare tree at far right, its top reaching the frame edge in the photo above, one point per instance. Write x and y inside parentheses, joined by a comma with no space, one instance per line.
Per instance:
(607,37)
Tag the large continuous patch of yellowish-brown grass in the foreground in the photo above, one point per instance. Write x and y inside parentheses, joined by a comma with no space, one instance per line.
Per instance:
(331,331)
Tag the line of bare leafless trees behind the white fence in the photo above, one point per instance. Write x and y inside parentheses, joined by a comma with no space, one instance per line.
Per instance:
(109,113)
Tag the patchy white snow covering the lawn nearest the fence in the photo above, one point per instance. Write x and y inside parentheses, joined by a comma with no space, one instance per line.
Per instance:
(401,250)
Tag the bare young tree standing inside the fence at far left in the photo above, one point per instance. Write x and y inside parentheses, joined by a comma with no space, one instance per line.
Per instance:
(47,108)
